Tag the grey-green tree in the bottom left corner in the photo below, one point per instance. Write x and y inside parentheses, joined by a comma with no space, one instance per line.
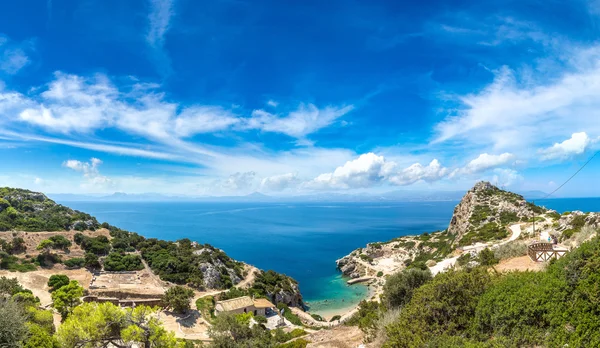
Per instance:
(12,324)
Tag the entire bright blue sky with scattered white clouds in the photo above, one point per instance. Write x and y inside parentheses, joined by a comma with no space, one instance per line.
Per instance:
(231,97)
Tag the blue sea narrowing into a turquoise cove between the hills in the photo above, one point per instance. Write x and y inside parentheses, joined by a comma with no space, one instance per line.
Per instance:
(301,240)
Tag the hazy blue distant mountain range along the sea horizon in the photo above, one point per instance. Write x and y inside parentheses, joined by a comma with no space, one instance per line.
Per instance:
(393,196)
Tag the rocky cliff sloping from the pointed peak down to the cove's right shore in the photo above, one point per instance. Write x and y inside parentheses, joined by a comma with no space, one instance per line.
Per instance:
(483,215)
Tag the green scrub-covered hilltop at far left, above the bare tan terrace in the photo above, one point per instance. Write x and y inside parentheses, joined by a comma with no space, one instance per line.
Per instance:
(25,210)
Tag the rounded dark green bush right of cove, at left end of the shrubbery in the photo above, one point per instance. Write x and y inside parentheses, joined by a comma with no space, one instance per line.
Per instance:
(399,287)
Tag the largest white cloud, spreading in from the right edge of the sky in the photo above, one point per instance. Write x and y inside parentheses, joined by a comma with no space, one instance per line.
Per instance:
(522,110)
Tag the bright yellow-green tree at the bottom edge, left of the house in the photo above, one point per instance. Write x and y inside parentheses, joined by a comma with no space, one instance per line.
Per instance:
(104,324)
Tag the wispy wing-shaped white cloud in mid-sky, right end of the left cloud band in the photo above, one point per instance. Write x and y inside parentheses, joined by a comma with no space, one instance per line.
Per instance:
(305,120)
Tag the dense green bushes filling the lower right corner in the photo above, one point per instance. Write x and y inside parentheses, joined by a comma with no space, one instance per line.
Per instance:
(474,307)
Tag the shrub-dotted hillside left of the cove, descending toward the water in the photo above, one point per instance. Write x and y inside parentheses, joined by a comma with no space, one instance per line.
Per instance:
(75,240)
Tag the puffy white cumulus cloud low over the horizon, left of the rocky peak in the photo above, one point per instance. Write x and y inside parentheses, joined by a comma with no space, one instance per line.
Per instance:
(369,170)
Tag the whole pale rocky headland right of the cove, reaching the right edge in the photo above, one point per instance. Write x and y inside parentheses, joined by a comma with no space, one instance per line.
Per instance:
(482,219)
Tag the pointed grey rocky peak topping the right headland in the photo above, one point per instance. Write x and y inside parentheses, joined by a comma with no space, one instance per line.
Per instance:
(485,211)
